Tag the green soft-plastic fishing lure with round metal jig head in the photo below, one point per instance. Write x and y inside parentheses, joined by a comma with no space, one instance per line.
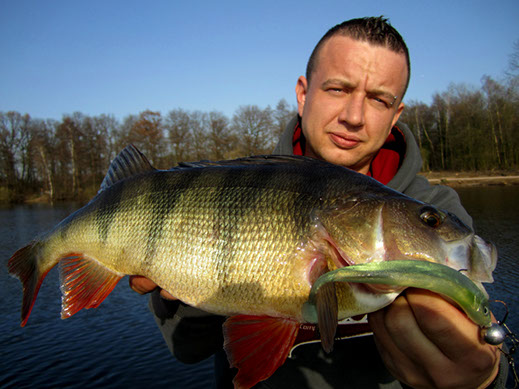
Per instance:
(432,276)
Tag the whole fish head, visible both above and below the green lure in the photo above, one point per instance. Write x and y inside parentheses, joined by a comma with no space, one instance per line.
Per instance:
(374,228)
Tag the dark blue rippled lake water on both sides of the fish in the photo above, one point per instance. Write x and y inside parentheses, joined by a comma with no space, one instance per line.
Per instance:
(118,344)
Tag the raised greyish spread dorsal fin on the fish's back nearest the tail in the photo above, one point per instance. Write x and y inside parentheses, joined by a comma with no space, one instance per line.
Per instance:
(128,163)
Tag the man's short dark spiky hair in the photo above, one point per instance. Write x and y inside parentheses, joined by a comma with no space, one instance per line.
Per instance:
(375,30)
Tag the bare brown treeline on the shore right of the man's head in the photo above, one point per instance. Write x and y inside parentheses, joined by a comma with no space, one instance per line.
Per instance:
(468,129)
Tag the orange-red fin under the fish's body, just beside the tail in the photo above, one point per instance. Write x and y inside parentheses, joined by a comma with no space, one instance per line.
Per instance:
(85,283)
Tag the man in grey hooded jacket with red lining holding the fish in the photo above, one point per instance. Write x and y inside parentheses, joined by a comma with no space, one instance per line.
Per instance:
(348,105)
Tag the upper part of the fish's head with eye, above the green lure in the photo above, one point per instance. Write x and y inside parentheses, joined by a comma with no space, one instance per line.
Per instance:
(374,228)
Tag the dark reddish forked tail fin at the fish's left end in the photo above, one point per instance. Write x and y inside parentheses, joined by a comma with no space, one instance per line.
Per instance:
(23,264)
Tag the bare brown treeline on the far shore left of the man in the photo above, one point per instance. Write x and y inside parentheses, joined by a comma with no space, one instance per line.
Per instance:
(68,159)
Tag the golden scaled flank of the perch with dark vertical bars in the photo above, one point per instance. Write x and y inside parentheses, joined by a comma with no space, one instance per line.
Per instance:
(208,227)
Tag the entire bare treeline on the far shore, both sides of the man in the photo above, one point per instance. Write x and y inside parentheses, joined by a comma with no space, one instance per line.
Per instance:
(462,129)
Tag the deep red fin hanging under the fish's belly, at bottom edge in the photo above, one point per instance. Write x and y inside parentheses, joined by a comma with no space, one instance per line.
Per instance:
(257,346)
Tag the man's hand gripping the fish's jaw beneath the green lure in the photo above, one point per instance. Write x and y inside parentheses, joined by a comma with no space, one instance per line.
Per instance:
(426,342)
